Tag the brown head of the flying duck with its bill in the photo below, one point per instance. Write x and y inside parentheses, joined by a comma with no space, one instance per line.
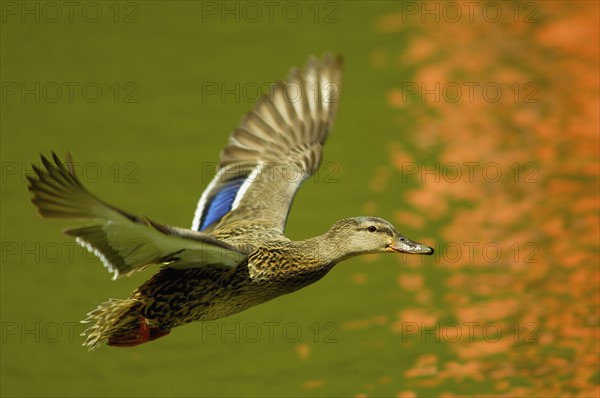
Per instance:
(362,235)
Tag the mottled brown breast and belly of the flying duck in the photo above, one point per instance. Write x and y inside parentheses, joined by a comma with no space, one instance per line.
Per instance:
(175,297)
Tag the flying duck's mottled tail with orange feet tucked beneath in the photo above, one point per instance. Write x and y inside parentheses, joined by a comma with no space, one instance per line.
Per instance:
(119,323)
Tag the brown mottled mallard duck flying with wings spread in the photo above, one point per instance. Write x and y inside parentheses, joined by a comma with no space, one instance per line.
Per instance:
(236,254)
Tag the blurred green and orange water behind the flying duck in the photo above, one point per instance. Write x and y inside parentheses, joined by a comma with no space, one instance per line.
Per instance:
(156,88)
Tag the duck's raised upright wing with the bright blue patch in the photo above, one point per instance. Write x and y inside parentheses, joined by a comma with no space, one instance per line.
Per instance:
(276,146)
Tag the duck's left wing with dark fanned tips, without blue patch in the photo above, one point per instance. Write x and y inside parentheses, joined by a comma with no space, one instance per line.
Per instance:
(125,243)
